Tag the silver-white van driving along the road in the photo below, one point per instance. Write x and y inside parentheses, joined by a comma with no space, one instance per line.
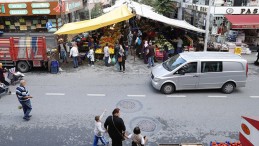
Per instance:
(200,70)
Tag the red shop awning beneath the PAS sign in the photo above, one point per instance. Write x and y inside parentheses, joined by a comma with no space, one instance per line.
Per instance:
(244,21)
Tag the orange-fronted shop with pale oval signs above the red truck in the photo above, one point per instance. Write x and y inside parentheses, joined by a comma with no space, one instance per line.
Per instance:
(29,16)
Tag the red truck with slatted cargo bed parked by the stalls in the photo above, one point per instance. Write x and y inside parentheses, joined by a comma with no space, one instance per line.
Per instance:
(23,52)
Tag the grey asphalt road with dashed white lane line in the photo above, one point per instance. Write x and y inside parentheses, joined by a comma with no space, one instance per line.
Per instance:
(64,106)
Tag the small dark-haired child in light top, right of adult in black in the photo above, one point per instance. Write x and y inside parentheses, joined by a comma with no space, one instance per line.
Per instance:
(137,138)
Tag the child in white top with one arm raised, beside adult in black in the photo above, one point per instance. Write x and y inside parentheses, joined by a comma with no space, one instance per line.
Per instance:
(98,130)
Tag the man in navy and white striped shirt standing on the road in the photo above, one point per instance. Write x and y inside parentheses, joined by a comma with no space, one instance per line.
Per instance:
(23,96)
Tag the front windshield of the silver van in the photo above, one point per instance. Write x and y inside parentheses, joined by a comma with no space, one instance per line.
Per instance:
(173,62)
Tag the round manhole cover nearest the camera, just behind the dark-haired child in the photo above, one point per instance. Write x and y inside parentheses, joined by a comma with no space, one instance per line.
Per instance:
(146,124)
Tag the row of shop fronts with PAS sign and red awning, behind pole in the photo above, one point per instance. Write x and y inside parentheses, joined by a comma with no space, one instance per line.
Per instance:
(230,20)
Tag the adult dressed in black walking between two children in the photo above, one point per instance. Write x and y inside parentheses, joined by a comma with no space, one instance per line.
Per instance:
(116,127)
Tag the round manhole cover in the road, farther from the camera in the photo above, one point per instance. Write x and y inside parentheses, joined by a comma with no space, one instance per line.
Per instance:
(129,105)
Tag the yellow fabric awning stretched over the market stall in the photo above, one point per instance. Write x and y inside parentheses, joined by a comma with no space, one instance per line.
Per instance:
(117,15)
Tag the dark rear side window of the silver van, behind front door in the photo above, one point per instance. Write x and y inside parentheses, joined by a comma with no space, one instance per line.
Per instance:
(215,66)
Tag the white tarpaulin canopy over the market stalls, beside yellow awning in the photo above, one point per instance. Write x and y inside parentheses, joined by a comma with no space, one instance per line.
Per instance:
(148,12)
